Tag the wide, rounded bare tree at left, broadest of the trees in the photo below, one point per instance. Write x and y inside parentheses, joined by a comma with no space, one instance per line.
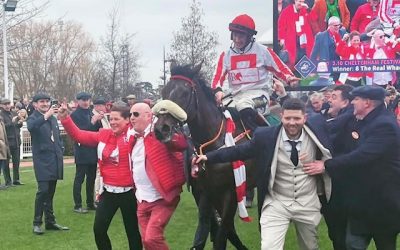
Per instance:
(55,57)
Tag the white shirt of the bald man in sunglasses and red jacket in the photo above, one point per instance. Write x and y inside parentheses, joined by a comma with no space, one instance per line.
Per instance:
(145,191)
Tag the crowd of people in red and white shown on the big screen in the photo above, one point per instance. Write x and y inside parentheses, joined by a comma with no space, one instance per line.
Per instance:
(333,30)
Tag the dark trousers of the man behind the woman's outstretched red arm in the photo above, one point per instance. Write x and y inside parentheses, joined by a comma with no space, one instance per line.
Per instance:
(82,170)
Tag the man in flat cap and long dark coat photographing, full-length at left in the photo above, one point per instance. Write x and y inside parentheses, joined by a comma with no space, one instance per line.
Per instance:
(47,151)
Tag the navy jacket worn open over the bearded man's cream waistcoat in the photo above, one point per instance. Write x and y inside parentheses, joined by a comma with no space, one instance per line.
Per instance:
(262,147)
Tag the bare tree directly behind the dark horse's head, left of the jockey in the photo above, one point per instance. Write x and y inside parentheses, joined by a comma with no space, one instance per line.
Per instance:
(193,43)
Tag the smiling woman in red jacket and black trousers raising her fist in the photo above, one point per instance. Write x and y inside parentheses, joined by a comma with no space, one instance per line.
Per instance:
(114,149)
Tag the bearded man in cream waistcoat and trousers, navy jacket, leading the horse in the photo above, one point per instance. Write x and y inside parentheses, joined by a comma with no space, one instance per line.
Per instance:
(285,192)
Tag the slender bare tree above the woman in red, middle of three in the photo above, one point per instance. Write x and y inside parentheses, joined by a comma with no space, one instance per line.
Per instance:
(119,61)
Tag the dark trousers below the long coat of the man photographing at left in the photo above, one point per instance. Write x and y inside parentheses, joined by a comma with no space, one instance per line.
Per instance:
(44,203)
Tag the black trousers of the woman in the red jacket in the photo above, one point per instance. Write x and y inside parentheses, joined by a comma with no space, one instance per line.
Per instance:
(106,209)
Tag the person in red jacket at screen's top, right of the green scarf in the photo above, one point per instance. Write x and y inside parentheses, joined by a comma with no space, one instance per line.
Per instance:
(364,15)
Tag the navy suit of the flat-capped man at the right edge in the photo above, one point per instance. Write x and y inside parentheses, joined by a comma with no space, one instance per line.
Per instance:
(373,165)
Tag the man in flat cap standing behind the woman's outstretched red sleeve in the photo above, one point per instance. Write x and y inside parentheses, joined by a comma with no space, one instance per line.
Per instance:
(85,157)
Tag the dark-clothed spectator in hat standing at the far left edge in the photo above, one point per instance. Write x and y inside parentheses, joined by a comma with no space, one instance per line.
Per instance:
(14,140)
